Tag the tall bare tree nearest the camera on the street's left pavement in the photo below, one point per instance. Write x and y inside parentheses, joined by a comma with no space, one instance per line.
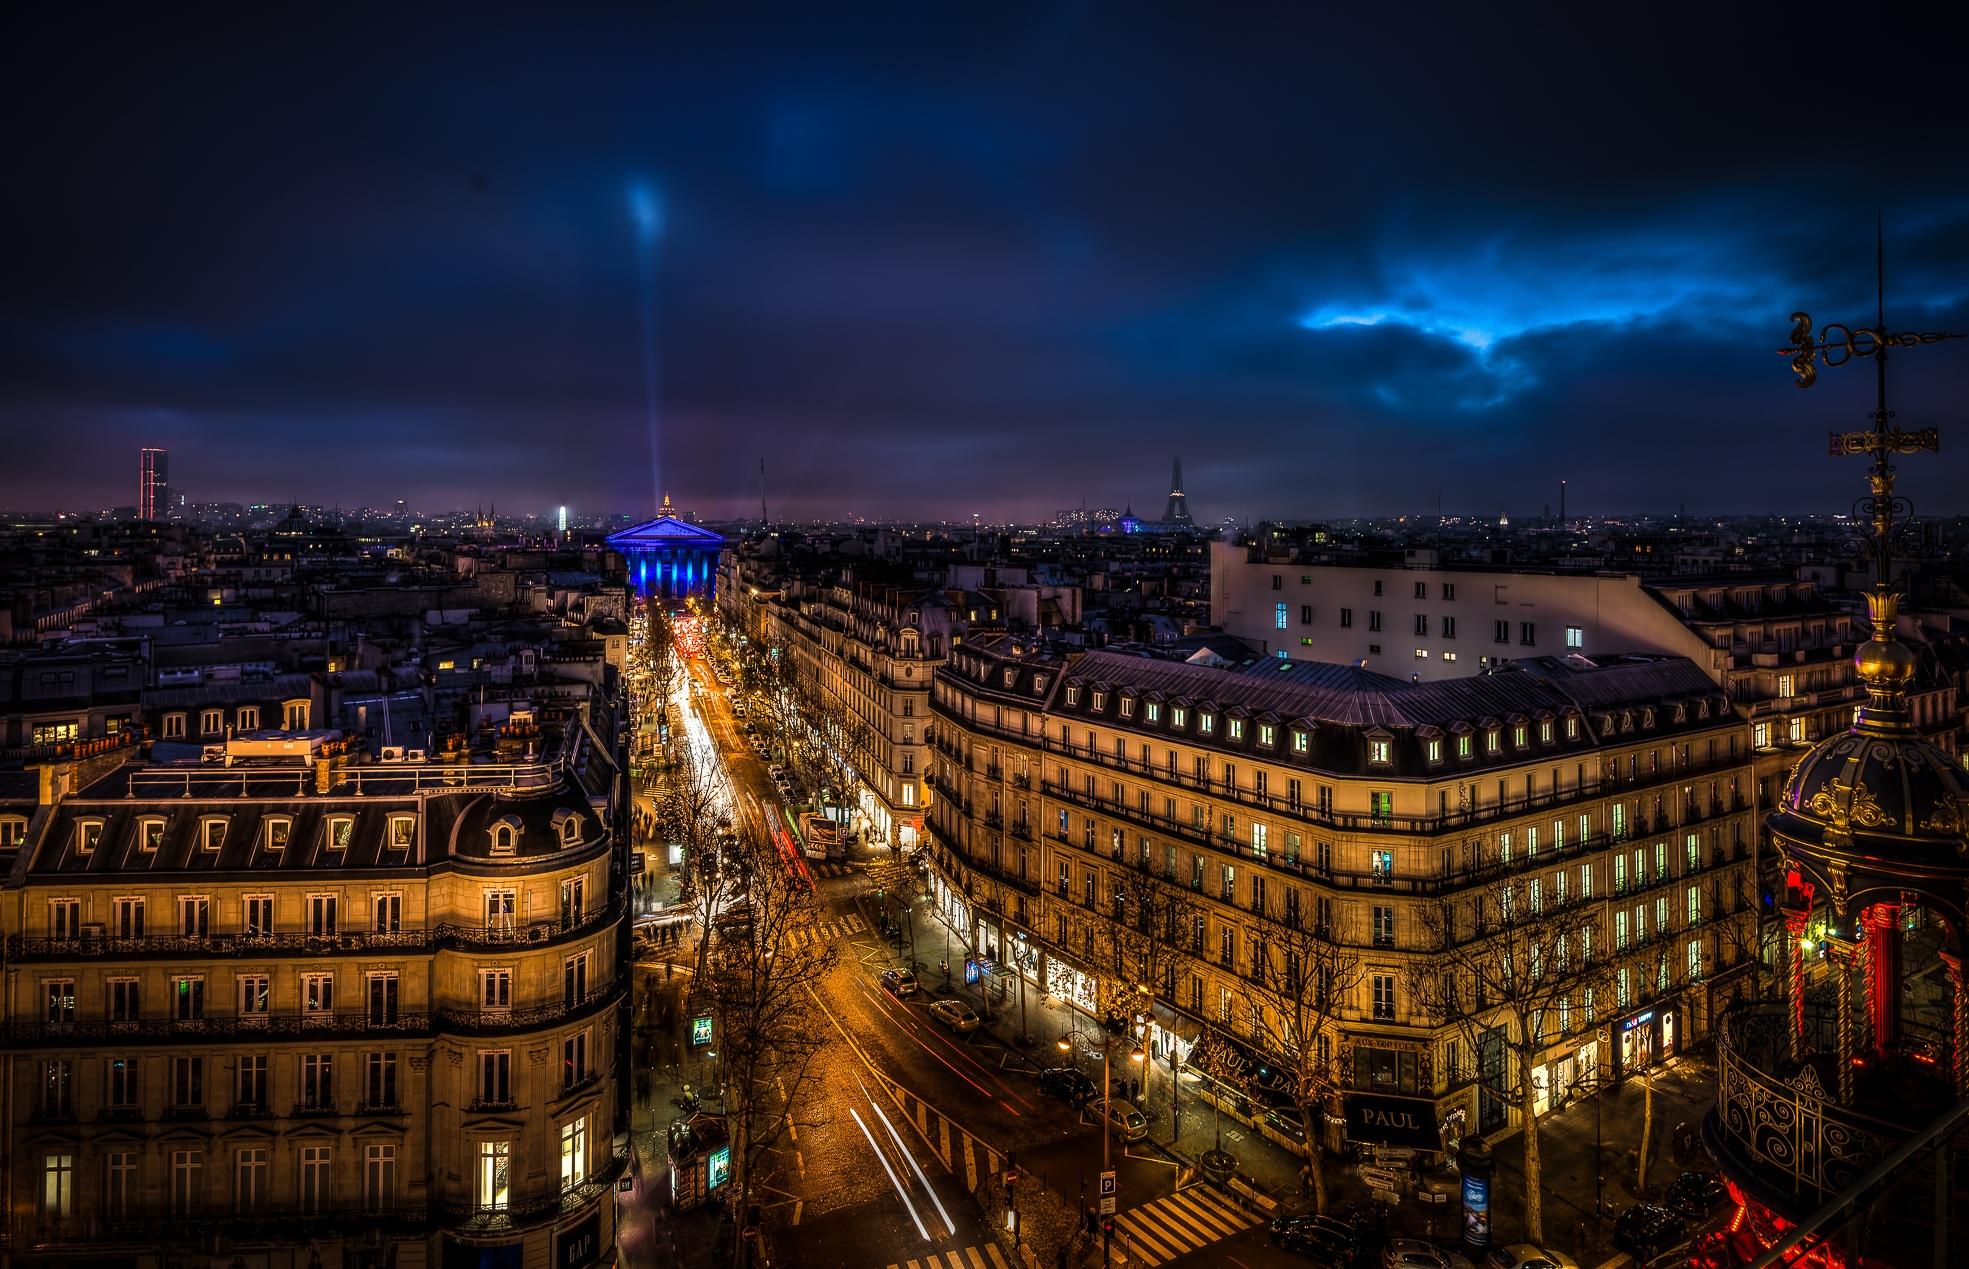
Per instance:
(767,1026)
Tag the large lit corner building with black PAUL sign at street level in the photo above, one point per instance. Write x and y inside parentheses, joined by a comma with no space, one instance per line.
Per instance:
(1306,795)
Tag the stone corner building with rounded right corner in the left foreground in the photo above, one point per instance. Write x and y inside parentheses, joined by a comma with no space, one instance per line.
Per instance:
(318,1016)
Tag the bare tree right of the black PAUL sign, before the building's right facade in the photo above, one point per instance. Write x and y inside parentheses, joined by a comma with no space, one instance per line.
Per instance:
(1509,961)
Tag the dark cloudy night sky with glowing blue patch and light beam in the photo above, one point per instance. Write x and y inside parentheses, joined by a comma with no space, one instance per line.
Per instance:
(1009,263)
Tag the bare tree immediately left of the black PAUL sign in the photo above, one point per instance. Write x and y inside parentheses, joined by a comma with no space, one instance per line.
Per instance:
(1301,978)
